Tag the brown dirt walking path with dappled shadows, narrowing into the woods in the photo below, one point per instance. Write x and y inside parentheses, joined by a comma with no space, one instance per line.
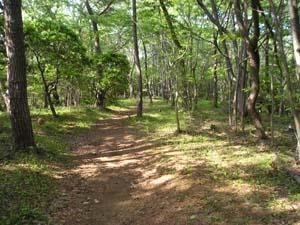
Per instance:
(115,180)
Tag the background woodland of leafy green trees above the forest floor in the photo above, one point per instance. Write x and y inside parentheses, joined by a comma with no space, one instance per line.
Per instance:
(220,51)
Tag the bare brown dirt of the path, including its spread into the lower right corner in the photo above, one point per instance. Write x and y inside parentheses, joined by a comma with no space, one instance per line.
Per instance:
(121,177)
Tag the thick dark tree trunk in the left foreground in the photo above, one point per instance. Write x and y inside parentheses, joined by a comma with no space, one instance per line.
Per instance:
(22,132)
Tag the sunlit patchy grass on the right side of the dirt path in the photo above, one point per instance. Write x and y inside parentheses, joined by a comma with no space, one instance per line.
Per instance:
(235,171)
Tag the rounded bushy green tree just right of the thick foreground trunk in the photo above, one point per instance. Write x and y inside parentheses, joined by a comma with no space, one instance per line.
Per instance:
(57,53)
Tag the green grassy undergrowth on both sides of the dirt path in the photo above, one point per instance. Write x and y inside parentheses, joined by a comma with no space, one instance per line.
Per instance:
(234,171)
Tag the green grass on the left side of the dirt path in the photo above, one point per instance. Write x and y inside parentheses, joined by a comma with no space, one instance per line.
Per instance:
(27,182)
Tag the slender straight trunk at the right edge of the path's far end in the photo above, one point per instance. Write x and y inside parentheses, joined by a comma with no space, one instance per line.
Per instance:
(137,60)
